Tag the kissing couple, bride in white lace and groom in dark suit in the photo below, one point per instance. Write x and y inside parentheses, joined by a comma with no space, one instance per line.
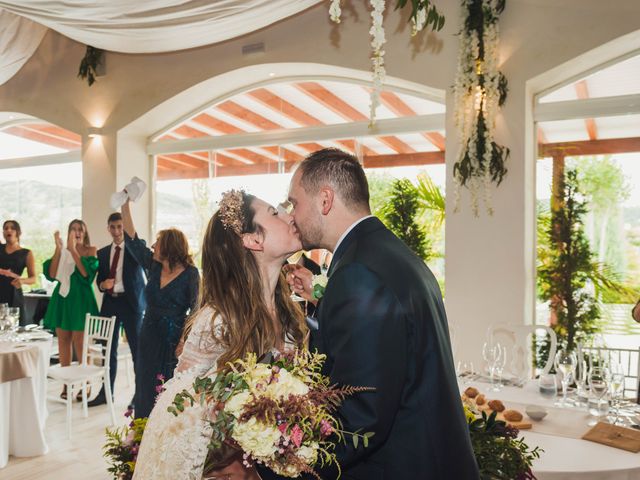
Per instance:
(381,324)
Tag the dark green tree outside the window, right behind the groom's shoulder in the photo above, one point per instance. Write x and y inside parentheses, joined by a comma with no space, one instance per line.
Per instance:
(400,216)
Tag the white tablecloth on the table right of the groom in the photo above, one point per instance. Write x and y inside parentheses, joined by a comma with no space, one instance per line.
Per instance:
(566,458)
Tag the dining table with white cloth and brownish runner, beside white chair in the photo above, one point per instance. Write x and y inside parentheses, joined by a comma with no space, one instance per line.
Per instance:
(24,361)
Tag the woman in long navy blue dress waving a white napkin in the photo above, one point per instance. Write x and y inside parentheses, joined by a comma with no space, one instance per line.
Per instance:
(171,293)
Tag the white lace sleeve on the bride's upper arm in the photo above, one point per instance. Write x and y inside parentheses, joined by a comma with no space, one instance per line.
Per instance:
(201,349)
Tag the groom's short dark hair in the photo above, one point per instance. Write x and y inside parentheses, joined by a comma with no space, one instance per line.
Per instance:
(341,171)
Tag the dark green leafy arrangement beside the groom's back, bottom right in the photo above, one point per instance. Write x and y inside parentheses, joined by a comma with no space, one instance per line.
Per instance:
(498,451)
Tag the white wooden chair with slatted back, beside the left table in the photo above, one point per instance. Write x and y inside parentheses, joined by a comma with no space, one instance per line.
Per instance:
(98,334)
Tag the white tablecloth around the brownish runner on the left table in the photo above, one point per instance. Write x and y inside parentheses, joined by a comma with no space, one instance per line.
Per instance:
(23,411)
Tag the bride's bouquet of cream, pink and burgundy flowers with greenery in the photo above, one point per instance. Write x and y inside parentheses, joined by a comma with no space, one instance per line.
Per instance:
(278,414)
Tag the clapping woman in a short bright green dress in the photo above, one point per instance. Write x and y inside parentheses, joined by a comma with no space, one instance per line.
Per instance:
(75,268)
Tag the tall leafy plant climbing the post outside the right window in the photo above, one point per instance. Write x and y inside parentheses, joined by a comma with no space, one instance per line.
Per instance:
(568,265)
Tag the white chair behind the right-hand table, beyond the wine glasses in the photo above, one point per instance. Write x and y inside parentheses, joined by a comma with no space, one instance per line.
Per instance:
(517,338)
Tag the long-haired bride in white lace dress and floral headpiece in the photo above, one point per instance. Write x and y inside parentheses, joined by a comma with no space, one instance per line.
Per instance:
(244,307)
